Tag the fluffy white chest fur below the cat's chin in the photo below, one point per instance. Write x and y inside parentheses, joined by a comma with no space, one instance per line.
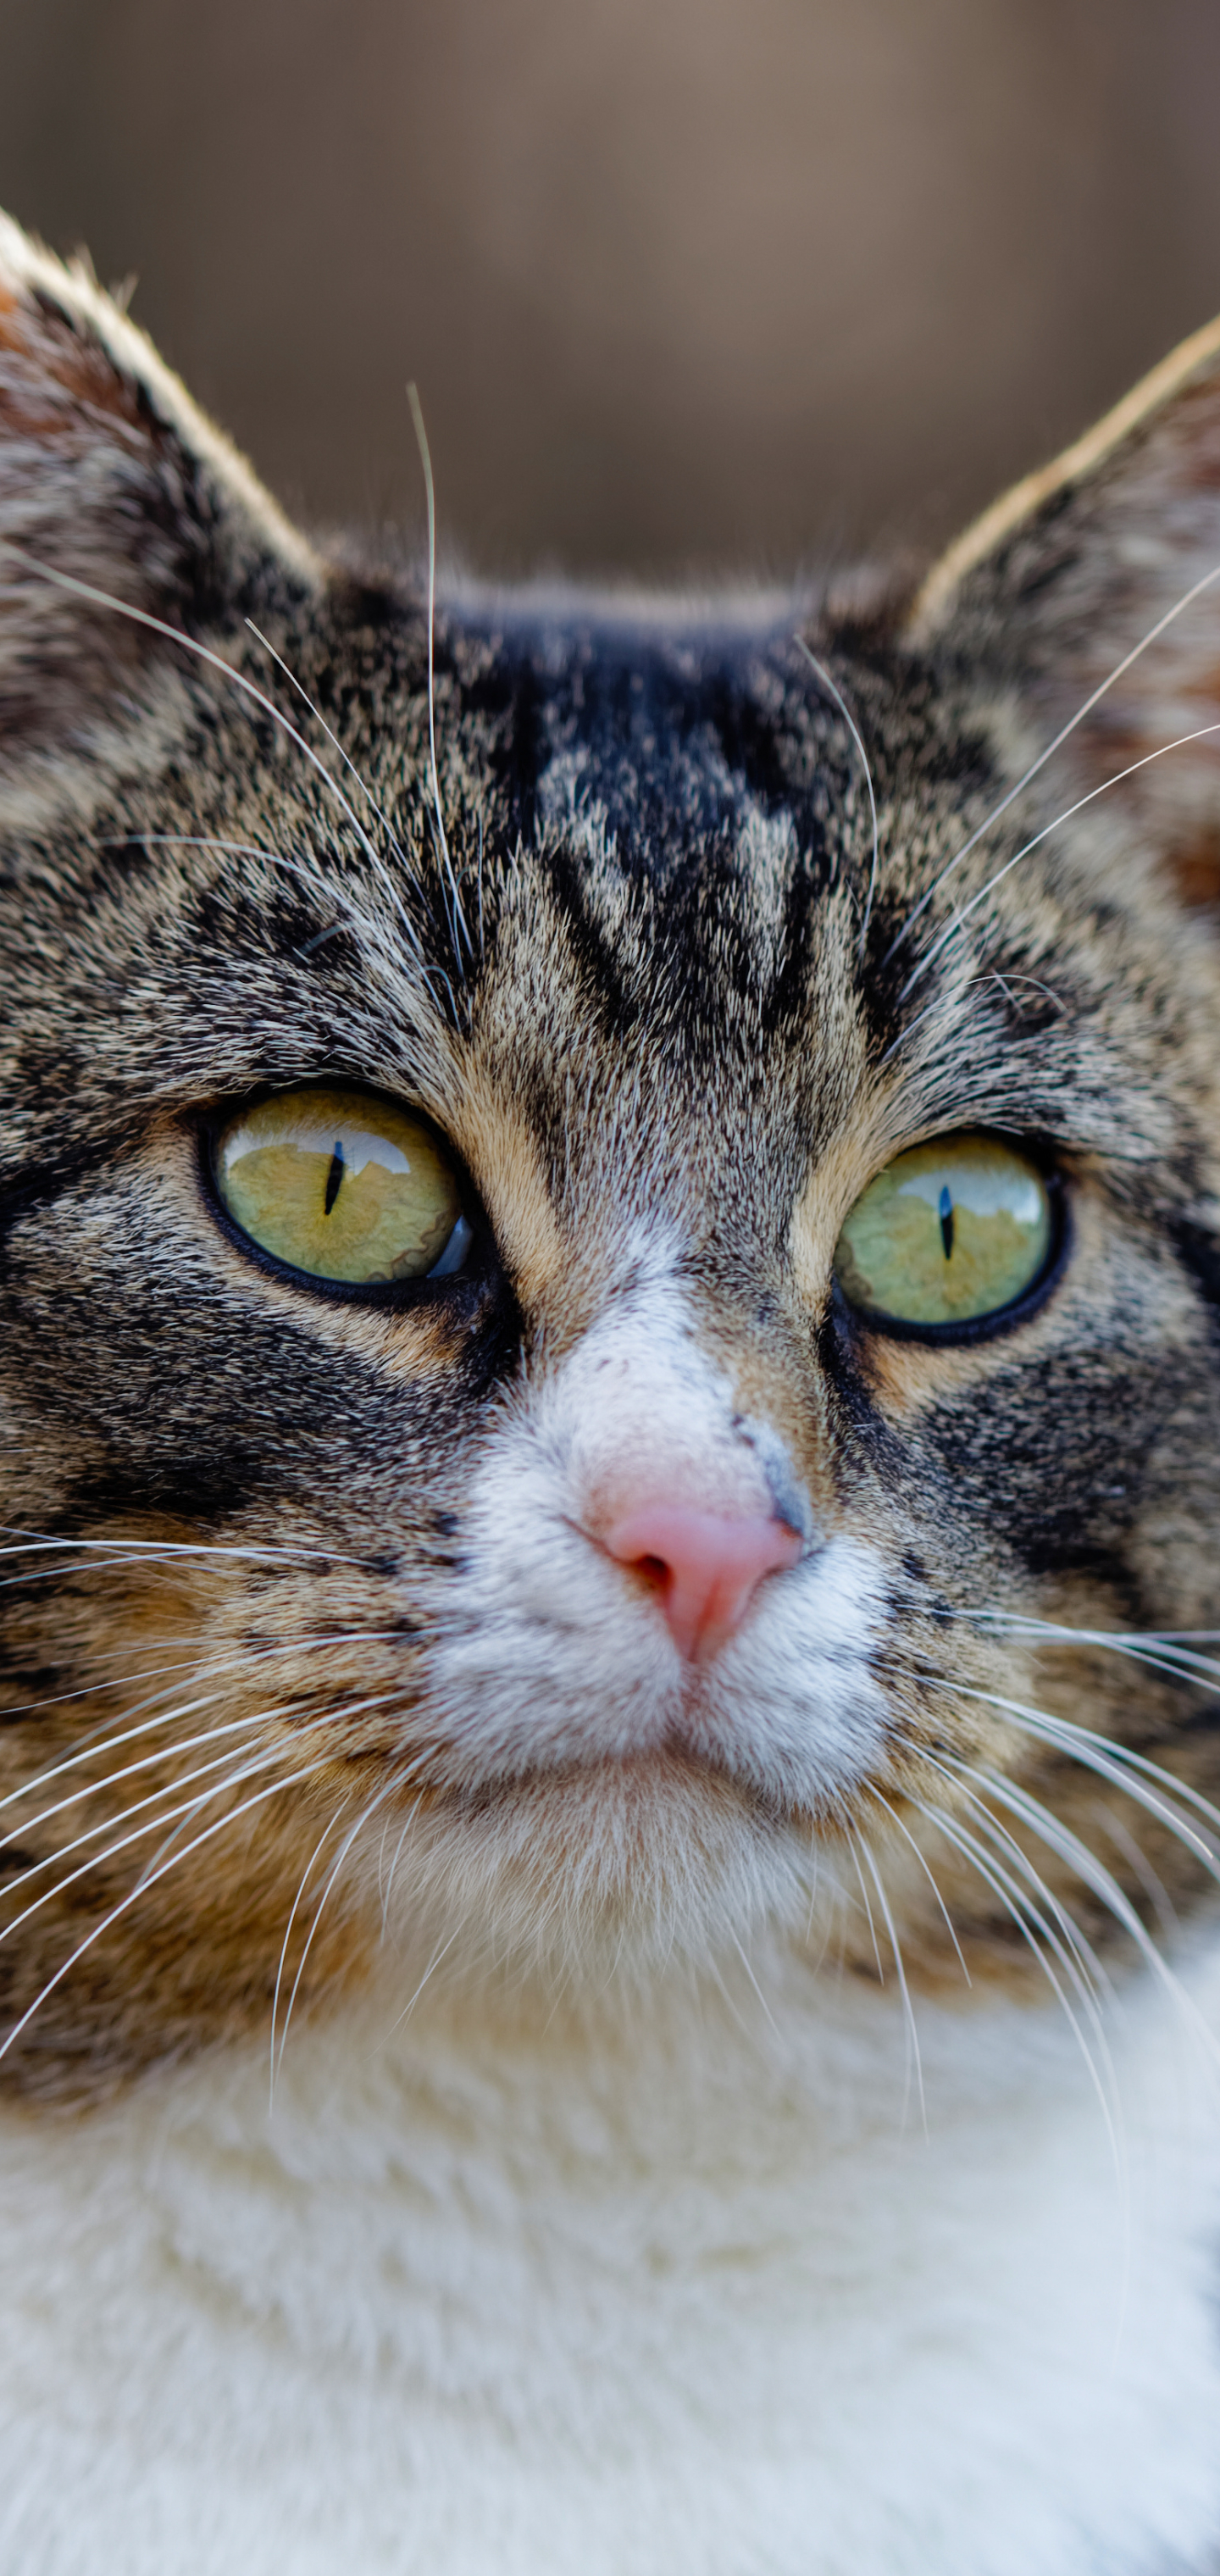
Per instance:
(681,2299)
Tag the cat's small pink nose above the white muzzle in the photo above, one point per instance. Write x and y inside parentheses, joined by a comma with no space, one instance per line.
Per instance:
(704,1570)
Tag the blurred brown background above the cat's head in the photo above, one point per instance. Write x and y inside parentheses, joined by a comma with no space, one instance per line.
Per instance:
(686,285)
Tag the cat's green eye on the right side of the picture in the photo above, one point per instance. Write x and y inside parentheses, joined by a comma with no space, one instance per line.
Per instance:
(946,1235)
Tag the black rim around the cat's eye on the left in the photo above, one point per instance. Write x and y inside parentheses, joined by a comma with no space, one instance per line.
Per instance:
(465,1287)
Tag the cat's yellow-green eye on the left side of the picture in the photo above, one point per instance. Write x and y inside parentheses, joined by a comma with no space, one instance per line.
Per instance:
(344,1186)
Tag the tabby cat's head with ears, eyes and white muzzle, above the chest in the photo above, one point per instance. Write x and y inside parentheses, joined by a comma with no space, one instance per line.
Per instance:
(606,1346)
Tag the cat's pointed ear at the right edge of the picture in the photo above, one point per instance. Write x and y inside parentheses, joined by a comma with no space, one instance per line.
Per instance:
(1059,581)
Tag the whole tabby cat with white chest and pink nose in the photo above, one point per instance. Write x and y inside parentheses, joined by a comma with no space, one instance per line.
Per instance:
(611,1485)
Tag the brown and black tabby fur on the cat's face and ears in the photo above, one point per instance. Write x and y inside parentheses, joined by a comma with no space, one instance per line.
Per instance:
(637,1024)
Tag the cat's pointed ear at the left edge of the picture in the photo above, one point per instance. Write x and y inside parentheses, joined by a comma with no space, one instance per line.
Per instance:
(112,478)
